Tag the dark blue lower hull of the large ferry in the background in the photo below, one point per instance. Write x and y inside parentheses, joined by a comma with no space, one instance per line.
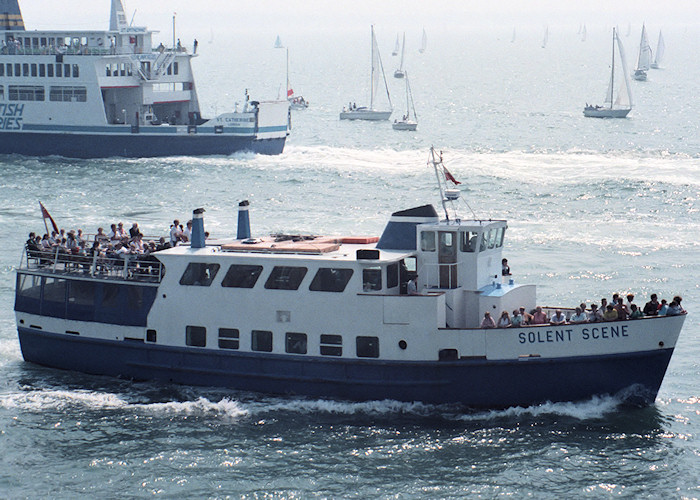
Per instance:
(88,146)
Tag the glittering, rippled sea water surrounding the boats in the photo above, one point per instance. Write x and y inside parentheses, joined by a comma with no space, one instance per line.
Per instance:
(594,207)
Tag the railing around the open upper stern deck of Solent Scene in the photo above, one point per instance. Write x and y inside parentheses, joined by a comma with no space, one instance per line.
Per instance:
(131,267)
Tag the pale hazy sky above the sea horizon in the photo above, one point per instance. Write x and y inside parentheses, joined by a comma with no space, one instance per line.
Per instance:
(319,15)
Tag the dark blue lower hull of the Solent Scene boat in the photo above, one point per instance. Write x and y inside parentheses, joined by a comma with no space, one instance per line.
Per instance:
(477,383)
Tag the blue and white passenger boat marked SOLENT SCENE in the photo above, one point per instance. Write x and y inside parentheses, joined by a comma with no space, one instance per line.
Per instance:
(362,318)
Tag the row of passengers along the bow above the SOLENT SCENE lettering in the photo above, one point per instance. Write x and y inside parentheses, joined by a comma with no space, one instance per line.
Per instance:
(617,310)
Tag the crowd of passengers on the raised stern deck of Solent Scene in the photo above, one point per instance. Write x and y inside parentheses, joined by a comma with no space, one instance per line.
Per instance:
(117,244)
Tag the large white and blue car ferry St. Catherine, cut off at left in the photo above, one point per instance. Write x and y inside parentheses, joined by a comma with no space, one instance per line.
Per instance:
(92,94)
